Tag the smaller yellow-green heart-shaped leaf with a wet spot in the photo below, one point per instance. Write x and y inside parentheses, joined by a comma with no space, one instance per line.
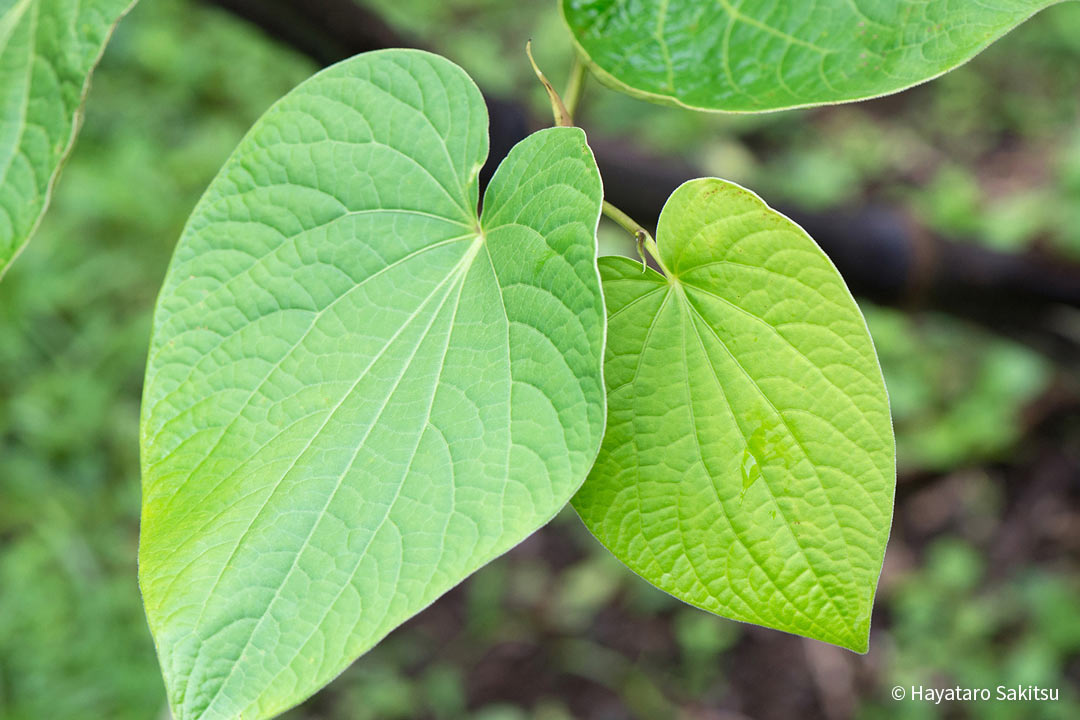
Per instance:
(749,463)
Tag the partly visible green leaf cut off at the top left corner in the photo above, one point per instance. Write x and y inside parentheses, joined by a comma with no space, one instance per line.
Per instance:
(48,50)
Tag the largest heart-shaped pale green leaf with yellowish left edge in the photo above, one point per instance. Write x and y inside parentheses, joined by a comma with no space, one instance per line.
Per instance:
(360,392)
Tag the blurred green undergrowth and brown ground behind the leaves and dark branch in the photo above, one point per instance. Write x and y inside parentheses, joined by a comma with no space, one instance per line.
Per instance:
(981,586)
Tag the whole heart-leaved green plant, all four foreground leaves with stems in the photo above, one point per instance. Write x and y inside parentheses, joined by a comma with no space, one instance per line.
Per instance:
(364,385)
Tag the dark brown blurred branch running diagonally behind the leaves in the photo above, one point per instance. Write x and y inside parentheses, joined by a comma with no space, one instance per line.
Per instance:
(882,255)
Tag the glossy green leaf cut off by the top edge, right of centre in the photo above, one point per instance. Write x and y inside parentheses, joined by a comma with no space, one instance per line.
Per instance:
(758,56)
